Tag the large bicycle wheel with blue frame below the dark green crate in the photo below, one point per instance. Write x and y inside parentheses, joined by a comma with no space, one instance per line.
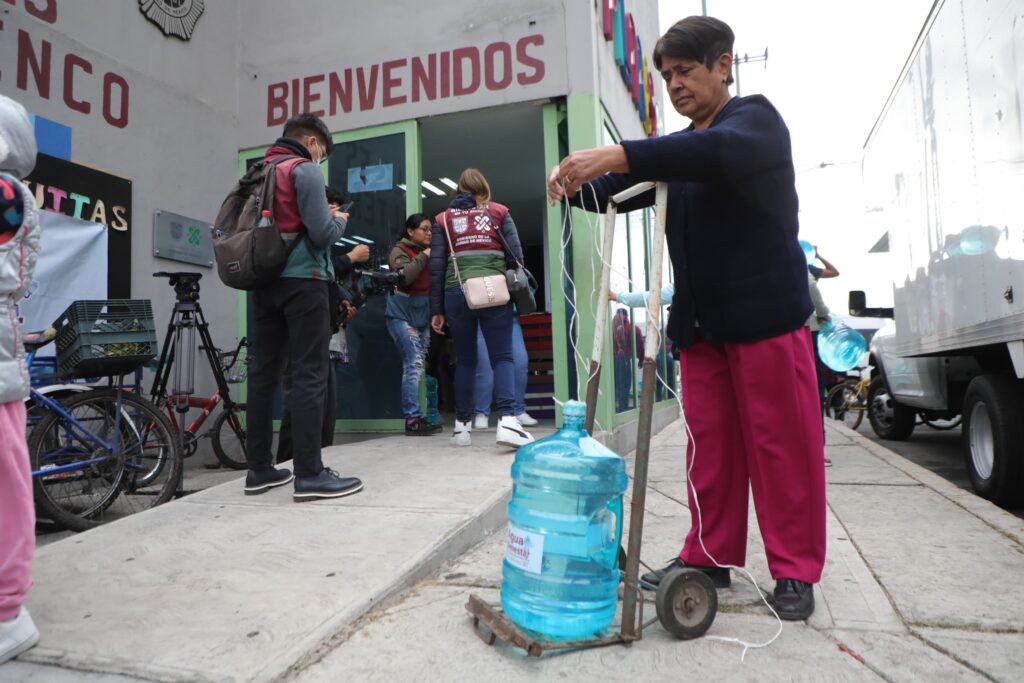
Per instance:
(120,458)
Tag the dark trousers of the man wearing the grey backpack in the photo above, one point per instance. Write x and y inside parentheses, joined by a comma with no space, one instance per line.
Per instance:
(291,330)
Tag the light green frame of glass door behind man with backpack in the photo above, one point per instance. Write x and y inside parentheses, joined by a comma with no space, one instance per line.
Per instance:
(414,204)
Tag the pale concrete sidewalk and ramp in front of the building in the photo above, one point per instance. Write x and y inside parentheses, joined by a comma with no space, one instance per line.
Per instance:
(923,582)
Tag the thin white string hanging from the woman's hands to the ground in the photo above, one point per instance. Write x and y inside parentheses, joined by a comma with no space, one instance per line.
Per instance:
(690,435)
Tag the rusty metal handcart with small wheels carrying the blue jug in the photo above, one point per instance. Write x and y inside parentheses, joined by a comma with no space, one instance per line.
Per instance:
(687,602)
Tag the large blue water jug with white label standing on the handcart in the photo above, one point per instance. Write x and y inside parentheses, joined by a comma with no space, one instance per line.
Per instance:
(566,523)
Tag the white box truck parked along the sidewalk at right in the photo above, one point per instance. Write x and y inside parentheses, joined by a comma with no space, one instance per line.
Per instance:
(946,164)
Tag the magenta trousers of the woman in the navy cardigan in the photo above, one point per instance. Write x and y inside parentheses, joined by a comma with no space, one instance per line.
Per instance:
(756,421)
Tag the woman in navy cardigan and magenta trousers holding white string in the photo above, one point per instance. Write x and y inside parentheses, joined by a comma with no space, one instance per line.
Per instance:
(739,312)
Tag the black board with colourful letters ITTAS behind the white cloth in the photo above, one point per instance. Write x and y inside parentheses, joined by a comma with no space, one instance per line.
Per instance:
(83,193)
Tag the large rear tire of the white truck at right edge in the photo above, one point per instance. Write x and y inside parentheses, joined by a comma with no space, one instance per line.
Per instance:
(994,439)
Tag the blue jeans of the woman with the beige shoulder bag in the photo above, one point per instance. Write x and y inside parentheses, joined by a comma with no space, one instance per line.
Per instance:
(496,324)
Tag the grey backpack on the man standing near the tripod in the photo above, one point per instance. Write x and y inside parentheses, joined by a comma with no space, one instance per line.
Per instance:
(247,245)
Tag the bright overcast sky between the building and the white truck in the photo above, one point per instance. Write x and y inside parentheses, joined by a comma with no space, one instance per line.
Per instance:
(831,68)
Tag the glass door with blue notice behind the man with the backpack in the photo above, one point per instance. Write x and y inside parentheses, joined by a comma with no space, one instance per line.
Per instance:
(377,169)
